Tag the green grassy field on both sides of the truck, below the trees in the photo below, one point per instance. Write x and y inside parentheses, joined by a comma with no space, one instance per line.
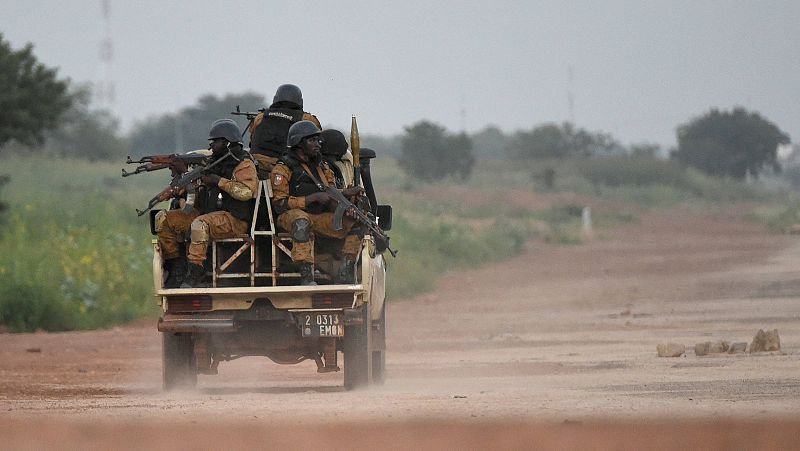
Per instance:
(74,255)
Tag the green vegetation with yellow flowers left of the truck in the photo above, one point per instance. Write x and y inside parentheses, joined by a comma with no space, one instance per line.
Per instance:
(74,254)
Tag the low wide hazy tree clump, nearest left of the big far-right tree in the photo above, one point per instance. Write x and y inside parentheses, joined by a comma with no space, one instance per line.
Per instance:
(561,141)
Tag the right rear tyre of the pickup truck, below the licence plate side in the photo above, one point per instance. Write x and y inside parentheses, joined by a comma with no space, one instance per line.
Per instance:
(357,355)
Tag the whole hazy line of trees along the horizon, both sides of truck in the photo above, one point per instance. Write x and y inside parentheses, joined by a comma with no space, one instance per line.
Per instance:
(48,115)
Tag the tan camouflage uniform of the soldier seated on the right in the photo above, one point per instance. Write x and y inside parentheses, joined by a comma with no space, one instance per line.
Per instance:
(290,184)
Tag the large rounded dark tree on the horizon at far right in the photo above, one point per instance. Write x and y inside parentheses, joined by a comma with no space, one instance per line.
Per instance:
(730,143)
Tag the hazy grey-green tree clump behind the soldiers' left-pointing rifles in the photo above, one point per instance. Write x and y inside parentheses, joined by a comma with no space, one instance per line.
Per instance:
(188,129)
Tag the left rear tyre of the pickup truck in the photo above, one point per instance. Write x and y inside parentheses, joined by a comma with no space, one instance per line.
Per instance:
(178,362)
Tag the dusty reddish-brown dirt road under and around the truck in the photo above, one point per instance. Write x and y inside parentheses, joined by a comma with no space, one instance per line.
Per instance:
(553,349)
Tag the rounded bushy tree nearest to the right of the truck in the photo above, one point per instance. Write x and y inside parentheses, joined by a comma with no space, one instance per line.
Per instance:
(430,153)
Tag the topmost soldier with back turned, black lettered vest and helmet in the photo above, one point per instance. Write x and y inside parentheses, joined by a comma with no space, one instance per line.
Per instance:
(269,128)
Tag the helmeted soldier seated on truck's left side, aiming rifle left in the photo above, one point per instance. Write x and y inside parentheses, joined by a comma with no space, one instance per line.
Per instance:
(223,208)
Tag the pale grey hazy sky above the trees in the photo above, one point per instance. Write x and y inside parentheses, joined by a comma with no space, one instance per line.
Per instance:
(639,67)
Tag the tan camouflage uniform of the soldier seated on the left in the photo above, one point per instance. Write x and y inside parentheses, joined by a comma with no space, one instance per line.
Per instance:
(238,185)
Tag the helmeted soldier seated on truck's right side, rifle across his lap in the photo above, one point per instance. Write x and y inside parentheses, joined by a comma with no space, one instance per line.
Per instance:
(303,207)
